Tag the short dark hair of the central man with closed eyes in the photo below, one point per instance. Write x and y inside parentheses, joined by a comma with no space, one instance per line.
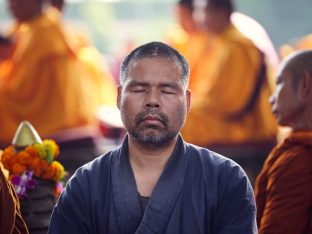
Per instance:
(155,50)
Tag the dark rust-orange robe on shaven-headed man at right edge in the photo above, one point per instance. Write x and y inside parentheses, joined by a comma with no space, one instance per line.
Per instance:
(284,187)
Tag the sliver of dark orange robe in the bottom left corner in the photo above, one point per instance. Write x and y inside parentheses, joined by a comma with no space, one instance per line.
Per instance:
(11,220)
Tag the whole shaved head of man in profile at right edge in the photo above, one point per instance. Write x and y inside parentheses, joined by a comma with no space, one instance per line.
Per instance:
(291,100)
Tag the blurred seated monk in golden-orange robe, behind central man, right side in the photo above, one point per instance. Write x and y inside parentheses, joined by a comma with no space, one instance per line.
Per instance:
(230,112)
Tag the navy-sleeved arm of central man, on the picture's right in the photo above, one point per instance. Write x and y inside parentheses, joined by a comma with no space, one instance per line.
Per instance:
(236,211)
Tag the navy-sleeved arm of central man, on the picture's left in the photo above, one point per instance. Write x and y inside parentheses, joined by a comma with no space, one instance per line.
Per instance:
(72,212)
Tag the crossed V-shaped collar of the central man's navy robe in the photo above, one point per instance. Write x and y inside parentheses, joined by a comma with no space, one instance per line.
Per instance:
(163,197)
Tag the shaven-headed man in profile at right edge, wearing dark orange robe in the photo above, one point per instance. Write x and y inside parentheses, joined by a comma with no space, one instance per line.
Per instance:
(284,186)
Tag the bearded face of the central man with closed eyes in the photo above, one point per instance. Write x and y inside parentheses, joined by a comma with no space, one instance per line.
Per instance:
(153,102)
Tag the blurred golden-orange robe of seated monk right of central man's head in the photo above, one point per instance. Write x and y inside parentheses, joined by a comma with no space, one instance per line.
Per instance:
(222,82)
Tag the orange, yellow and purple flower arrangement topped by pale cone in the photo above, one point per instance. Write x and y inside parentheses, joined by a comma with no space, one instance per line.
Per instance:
(29,159)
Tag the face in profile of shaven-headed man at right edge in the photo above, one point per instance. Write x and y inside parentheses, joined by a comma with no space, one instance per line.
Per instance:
(284,101)
